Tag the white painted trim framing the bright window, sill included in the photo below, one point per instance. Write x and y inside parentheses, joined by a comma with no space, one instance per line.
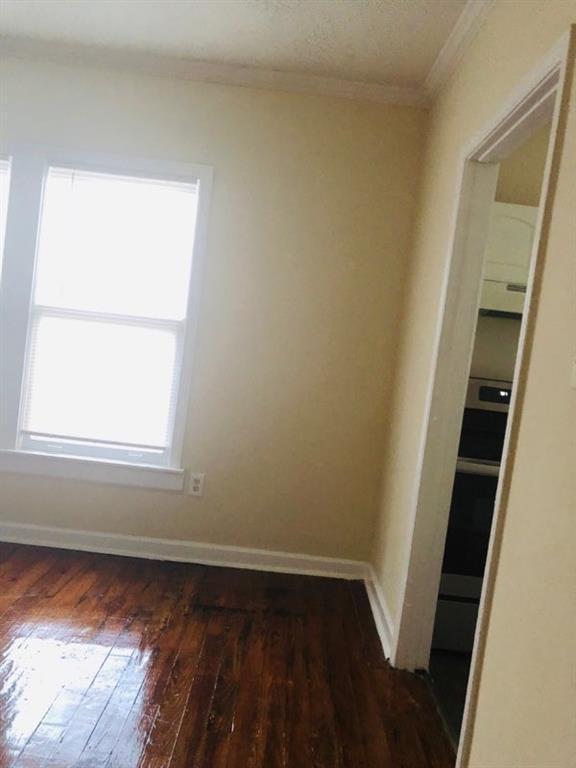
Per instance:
(27,173)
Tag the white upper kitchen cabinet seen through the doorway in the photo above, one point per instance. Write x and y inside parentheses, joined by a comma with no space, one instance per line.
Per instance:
(508,255)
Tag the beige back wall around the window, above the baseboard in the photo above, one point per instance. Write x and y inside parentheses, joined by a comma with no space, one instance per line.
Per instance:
(309,232)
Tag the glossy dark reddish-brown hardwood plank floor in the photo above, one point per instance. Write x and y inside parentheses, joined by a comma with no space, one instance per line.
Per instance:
(126,663)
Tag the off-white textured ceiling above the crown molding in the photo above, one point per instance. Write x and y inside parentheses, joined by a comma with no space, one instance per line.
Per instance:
(379,41)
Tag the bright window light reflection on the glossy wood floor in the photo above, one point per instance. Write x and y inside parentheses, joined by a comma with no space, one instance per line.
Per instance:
(47,669)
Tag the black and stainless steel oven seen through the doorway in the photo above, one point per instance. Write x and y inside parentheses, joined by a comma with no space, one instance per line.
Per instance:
(471,512)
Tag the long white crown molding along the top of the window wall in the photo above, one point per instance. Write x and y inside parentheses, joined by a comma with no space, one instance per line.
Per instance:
(206,72)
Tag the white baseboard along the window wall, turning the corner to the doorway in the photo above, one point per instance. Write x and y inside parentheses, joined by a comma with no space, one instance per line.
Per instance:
(209,554)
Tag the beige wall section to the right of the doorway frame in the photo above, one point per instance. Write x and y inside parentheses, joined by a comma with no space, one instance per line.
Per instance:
(529,674)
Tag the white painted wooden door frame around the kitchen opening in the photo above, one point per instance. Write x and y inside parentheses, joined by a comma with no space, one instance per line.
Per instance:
(529,106)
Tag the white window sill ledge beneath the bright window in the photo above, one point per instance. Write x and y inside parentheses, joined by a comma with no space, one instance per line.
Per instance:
(95,470)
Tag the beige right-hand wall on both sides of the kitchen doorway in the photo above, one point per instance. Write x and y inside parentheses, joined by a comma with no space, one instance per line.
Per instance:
(525,718)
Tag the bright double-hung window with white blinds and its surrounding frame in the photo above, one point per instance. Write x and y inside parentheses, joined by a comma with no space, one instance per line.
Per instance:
(102,372)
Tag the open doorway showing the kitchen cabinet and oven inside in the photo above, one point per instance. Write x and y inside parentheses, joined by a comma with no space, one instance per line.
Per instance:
(506,268)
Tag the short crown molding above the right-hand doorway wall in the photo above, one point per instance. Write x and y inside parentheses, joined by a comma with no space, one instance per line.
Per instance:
(463,32)
